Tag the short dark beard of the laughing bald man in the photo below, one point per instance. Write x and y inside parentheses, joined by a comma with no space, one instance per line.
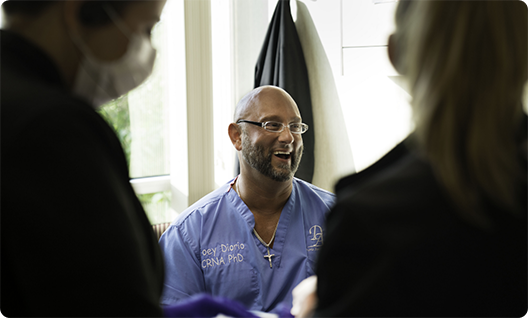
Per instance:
(255,156)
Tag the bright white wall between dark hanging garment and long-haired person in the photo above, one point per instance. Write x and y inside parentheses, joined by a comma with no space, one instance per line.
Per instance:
(360,111)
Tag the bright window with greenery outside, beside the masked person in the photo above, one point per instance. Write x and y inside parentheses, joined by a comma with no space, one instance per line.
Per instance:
(141,120)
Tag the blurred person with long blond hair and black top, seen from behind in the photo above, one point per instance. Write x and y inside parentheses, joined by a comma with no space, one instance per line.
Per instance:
(437,227)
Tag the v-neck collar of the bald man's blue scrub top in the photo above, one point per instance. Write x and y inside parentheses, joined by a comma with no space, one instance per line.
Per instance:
(282,227)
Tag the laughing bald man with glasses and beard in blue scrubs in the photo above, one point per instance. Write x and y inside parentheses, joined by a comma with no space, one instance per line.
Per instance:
(255,238)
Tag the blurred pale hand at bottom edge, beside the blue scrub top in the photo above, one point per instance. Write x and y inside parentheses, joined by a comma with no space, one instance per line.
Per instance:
(305,298)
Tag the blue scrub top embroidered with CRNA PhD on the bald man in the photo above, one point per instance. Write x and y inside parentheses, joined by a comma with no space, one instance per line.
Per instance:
(211,248)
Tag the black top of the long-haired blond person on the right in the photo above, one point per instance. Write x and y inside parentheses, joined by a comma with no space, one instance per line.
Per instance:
(396,247)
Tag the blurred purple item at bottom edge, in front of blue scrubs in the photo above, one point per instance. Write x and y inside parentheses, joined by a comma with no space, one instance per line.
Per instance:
(206,306)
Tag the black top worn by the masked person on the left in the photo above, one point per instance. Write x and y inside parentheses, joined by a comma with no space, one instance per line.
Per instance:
(74,239)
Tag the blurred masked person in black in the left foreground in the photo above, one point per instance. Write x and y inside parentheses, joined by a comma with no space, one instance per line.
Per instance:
(75,241)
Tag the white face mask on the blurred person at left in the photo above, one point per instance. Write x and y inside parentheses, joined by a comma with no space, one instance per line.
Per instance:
(98,81)
